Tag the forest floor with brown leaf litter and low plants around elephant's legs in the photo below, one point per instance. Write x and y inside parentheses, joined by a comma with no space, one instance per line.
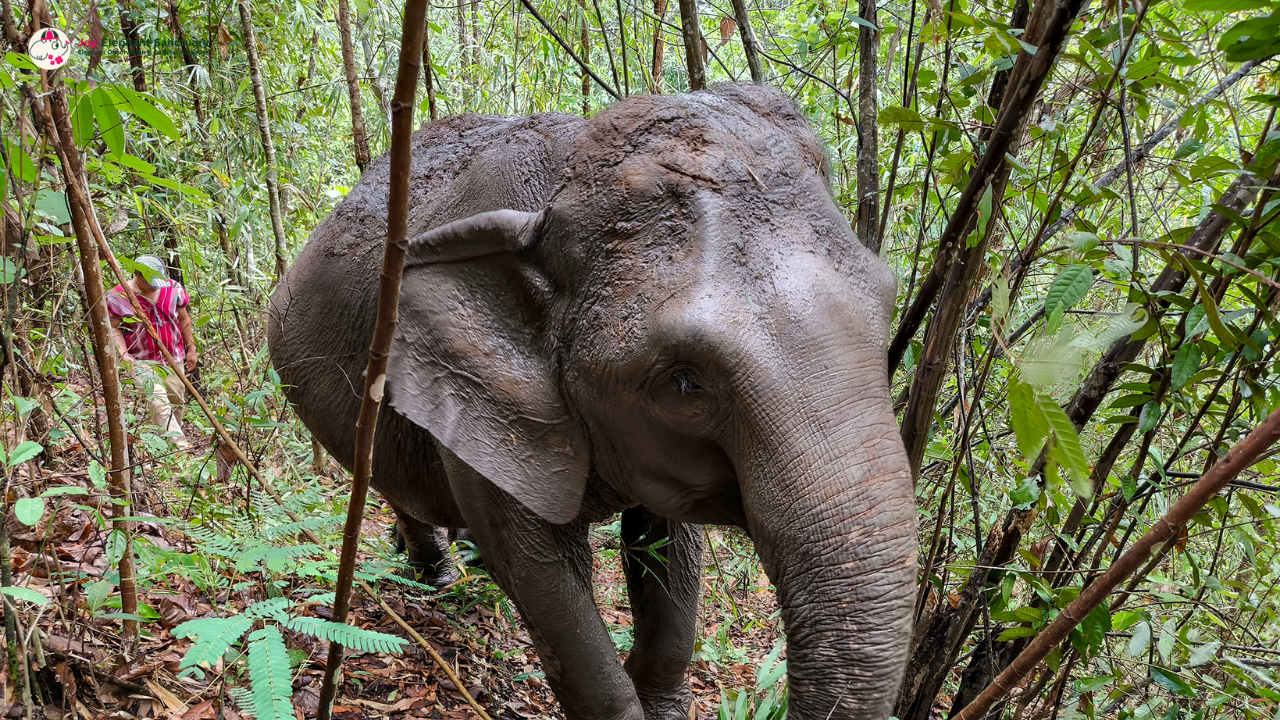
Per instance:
(209,549)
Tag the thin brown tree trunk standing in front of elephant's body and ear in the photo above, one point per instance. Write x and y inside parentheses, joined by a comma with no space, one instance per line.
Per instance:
(385,327)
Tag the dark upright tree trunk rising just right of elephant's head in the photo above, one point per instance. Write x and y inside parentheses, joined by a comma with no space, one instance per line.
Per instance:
(868,138)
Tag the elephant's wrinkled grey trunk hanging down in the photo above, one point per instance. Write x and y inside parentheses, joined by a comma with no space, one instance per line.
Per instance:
(830,507)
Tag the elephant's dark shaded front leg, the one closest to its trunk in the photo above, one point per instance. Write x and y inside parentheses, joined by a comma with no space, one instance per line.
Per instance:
(664,562)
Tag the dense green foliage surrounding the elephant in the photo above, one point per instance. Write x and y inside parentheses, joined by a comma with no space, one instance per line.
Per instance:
(1113,335)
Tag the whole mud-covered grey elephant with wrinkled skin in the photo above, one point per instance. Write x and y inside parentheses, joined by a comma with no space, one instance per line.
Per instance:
(659,312)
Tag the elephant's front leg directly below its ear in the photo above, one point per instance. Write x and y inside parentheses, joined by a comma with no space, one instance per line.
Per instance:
(546,571)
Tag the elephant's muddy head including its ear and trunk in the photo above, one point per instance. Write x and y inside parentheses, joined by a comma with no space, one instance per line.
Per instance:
(692,320)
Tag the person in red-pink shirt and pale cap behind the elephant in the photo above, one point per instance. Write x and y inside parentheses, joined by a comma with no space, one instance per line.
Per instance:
(166,304)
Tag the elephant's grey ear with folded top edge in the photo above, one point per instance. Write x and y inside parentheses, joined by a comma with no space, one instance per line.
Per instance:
(472,363)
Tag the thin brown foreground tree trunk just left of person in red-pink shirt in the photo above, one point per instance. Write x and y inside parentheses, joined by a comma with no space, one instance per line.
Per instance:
(60,129)
